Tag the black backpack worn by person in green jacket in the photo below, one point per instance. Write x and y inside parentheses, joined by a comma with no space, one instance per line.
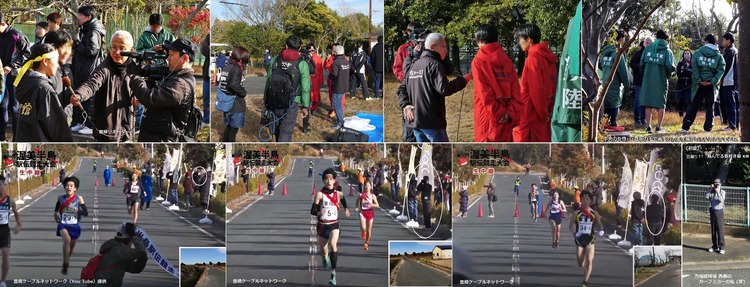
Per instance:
(283,84)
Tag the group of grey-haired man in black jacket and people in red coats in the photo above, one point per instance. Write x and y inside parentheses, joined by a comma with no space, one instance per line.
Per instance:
(505,109)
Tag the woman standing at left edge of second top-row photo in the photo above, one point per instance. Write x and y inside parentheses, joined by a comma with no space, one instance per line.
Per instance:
(231,84)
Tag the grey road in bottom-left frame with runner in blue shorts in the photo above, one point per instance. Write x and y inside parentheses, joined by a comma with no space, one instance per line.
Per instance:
(37,251)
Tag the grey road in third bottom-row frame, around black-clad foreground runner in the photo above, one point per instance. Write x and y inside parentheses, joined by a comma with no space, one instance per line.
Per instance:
(530,259)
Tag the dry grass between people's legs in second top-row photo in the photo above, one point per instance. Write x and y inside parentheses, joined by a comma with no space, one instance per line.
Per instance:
(320,123)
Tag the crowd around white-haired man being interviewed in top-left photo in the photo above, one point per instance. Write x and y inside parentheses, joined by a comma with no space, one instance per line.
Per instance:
(91,84)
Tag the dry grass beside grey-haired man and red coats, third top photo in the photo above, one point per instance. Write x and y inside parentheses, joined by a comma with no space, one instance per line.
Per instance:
(392,125)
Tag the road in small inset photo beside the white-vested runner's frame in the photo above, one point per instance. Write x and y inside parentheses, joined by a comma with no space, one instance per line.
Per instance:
(413,273)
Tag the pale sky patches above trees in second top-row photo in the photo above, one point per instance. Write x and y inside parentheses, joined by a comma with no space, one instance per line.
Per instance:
(218,10)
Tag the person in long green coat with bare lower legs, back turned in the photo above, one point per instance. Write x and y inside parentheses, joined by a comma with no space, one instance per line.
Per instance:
(657,66)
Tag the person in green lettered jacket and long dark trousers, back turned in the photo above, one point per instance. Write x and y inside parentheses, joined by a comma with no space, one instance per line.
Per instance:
(709,68)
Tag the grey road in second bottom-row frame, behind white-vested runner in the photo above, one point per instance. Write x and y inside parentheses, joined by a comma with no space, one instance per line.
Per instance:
(272,238)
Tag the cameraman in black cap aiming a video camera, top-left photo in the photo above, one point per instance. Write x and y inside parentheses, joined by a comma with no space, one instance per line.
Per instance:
(167,105)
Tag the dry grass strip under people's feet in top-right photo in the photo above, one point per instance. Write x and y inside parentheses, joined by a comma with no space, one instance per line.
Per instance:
(672,125)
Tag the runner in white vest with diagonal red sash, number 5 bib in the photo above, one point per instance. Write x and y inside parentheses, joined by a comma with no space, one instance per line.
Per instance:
(326,206)
